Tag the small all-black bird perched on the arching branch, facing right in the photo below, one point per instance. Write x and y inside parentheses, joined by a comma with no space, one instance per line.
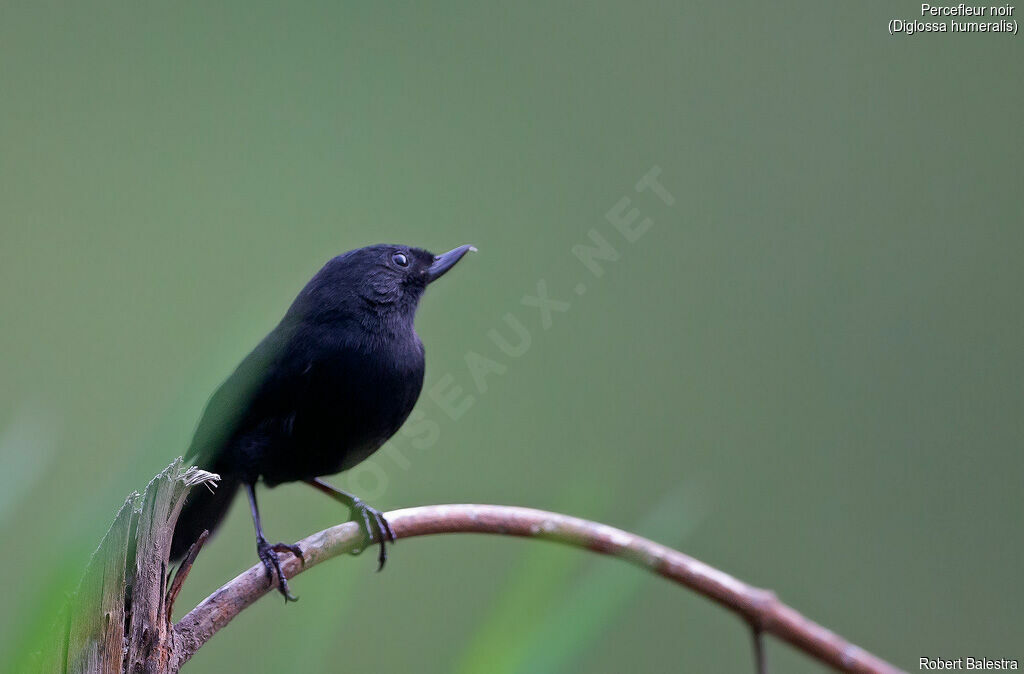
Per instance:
(323,392)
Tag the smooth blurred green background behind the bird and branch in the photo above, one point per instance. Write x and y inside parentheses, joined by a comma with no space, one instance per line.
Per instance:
(807,372)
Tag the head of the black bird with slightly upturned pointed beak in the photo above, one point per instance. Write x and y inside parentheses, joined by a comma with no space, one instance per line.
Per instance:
(386,280)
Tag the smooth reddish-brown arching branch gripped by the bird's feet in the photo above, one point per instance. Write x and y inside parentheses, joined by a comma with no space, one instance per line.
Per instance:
(759,608)
